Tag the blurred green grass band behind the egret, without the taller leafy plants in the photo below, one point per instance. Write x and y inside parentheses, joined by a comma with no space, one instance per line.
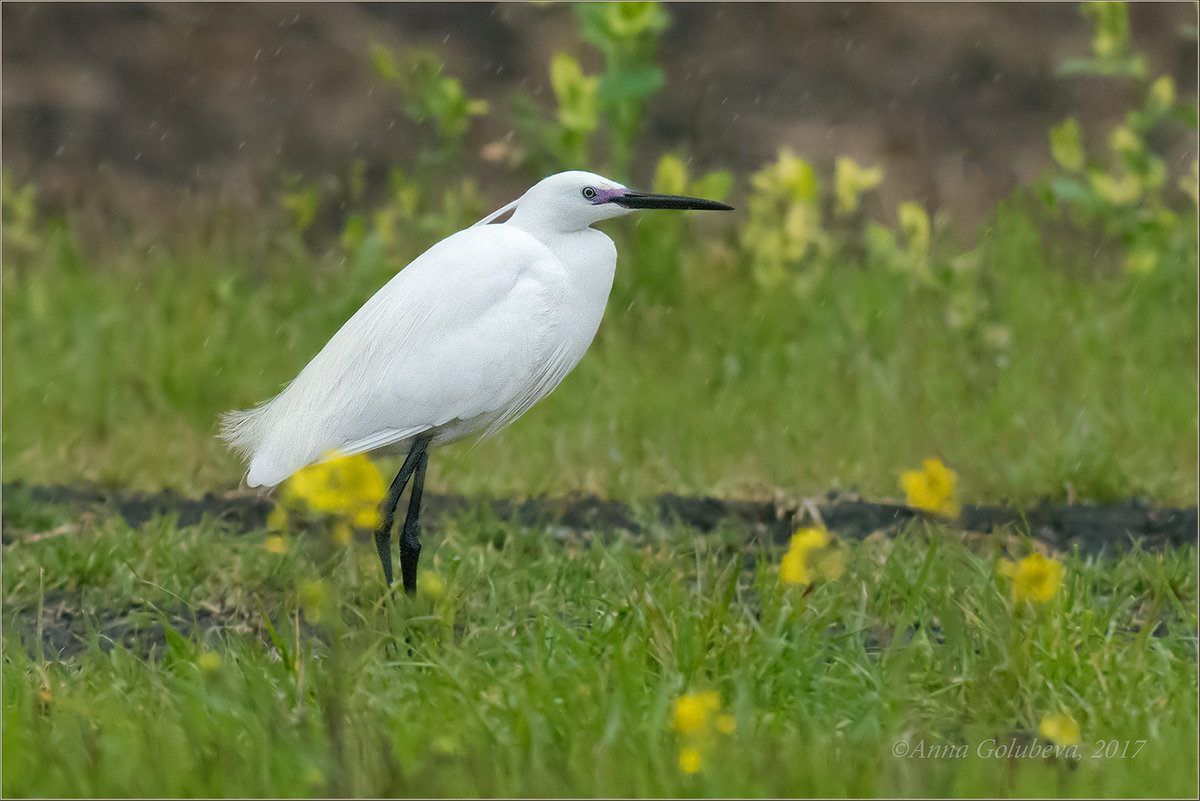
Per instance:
(1076,378)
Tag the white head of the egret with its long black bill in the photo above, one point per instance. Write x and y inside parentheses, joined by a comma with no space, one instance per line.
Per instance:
(573,201)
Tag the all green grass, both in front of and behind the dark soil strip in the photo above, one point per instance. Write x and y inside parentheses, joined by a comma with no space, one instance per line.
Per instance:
(550,667)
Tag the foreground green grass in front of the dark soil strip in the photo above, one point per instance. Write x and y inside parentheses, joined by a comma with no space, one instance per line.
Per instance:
(549,667)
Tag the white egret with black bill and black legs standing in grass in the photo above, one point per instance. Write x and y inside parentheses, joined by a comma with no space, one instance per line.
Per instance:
(463,341)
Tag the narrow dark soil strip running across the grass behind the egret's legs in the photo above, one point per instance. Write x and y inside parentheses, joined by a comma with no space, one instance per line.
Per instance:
(1093,529)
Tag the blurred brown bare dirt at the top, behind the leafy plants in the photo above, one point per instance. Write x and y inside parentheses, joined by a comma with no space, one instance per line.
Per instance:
(142,113)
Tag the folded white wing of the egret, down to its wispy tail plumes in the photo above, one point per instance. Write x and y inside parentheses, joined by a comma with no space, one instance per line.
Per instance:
(464,333)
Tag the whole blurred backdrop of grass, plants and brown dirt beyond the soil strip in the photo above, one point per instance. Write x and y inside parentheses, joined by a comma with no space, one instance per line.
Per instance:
(965,232)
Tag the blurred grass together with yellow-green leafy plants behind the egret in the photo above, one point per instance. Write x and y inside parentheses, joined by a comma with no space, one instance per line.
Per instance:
(811,299)
